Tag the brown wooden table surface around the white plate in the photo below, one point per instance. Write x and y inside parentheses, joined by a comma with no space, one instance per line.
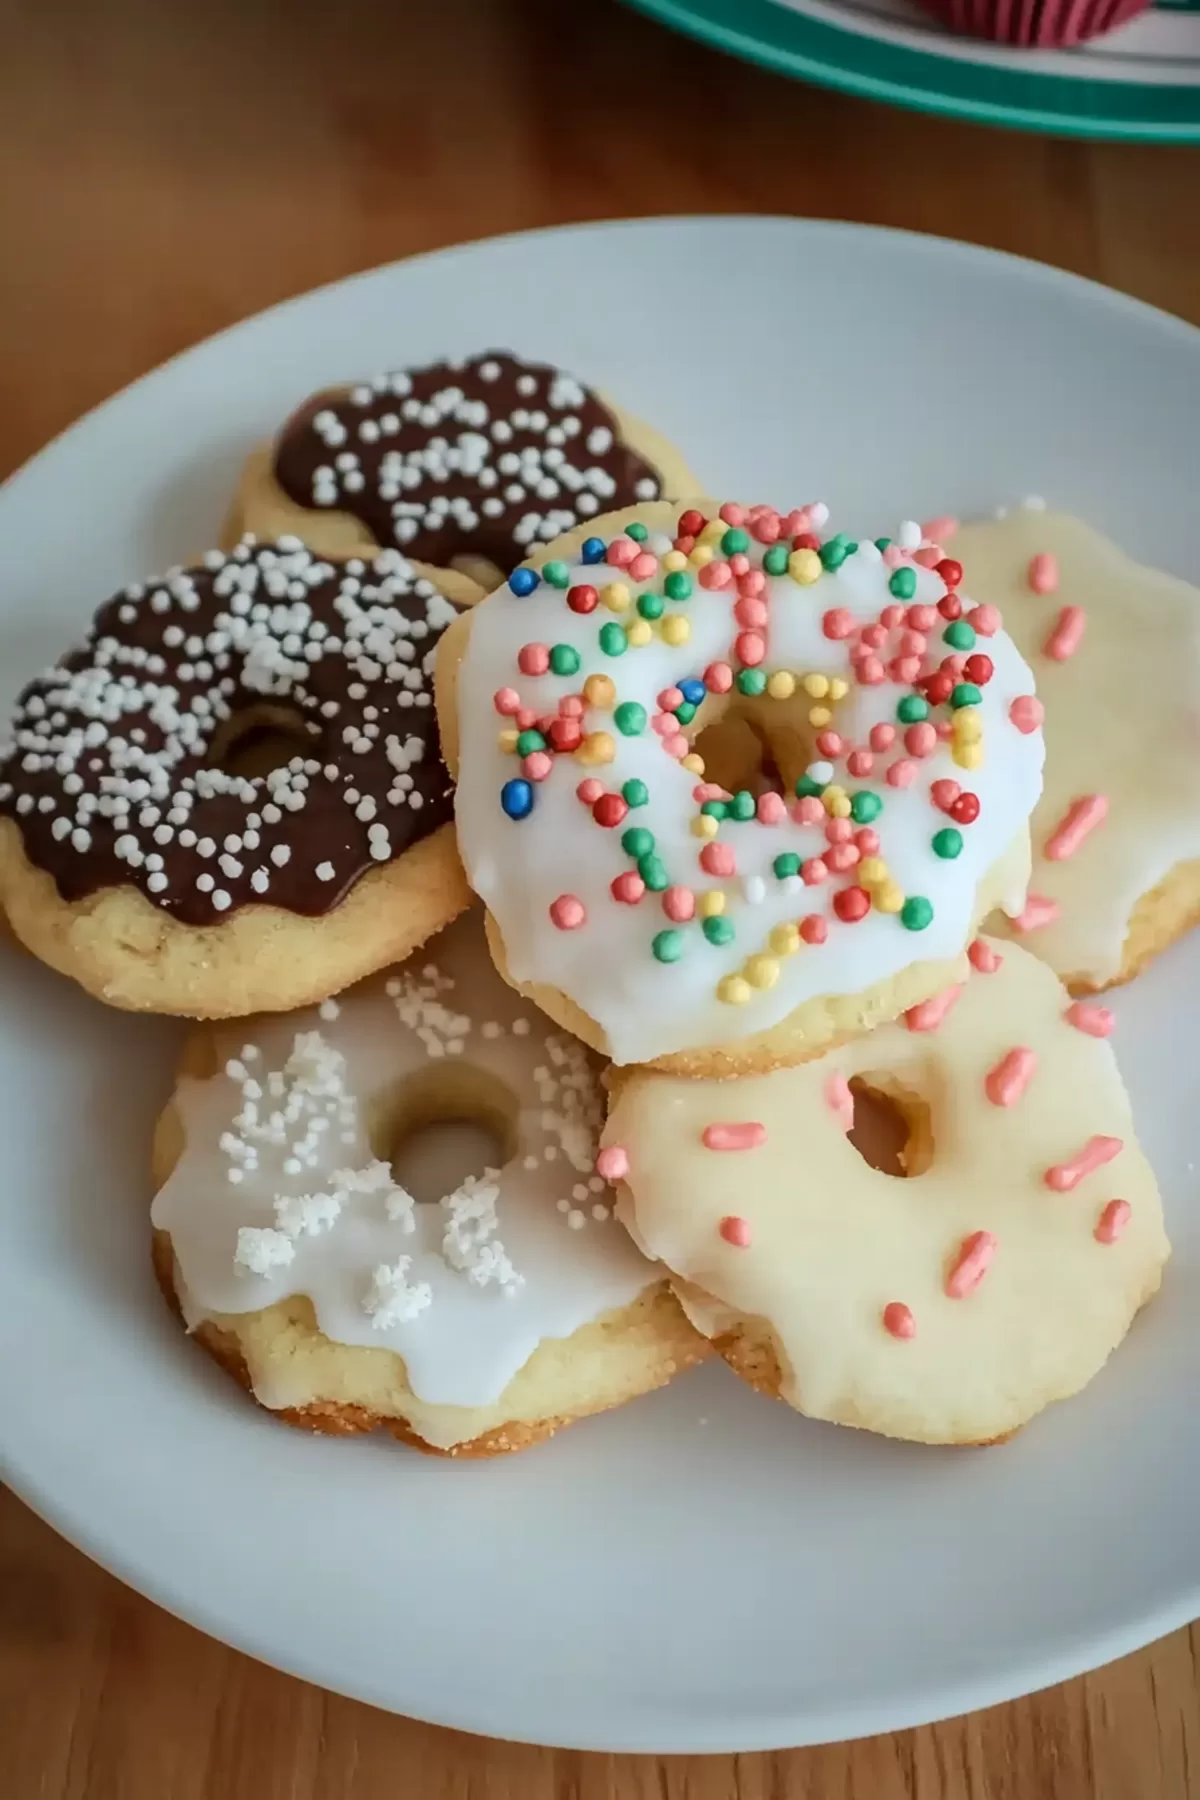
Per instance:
(168,168)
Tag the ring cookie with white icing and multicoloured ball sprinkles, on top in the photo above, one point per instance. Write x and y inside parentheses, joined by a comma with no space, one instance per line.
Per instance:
(668,919)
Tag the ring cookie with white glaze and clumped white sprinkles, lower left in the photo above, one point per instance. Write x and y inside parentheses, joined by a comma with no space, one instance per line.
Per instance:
(470,1326)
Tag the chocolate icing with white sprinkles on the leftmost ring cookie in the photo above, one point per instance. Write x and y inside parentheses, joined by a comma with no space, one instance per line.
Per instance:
(107,766)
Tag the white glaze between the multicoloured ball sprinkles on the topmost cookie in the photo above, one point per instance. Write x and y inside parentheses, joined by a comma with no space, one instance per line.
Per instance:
(649,1009)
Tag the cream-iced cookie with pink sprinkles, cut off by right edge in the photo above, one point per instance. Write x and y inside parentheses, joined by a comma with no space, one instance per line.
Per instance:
(1116,649)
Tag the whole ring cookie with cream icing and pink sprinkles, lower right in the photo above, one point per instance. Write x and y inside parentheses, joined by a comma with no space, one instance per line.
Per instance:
(947,1308)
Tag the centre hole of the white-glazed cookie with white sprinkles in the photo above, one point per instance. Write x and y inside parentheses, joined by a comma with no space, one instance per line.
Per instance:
(443,1126)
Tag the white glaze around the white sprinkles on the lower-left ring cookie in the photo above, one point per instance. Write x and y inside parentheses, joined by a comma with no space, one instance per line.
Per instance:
(469,1342)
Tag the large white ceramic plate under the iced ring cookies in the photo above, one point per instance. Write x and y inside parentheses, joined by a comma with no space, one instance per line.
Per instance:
(703,1570)
